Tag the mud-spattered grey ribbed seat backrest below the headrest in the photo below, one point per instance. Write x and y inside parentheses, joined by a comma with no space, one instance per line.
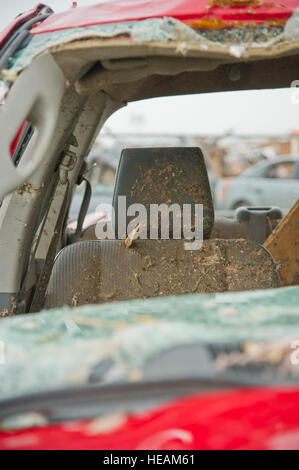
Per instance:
(95,272)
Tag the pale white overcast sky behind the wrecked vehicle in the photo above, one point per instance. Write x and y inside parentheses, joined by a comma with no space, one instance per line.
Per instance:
(250,112)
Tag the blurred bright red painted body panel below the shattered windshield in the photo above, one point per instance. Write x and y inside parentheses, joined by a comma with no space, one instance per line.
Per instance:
(265,418)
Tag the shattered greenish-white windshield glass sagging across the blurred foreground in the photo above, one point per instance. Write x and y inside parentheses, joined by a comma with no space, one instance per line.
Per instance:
(117,342)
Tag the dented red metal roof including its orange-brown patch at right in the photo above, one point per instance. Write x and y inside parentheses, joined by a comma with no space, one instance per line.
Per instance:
(206,14)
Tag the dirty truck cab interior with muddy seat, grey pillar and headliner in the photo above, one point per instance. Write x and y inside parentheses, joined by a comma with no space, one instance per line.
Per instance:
(85,82)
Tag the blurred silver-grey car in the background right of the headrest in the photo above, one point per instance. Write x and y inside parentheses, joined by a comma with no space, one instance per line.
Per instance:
(267,183)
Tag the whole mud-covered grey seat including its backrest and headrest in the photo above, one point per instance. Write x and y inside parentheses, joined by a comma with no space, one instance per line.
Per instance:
(98,271)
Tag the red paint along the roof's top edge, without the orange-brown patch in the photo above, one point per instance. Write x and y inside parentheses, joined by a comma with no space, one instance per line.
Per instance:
(134,10)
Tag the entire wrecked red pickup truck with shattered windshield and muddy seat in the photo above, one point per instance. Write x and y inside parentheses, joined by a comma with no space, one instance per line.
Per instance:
(142,343)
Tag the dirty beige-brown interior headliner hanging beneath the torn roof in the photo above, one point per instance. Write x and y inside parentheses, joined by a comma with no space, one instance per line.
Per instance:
(171,72)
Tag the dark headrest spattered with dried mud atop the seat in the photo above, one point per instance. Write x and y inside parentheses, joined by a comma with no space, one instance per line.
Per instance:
(171,175)
